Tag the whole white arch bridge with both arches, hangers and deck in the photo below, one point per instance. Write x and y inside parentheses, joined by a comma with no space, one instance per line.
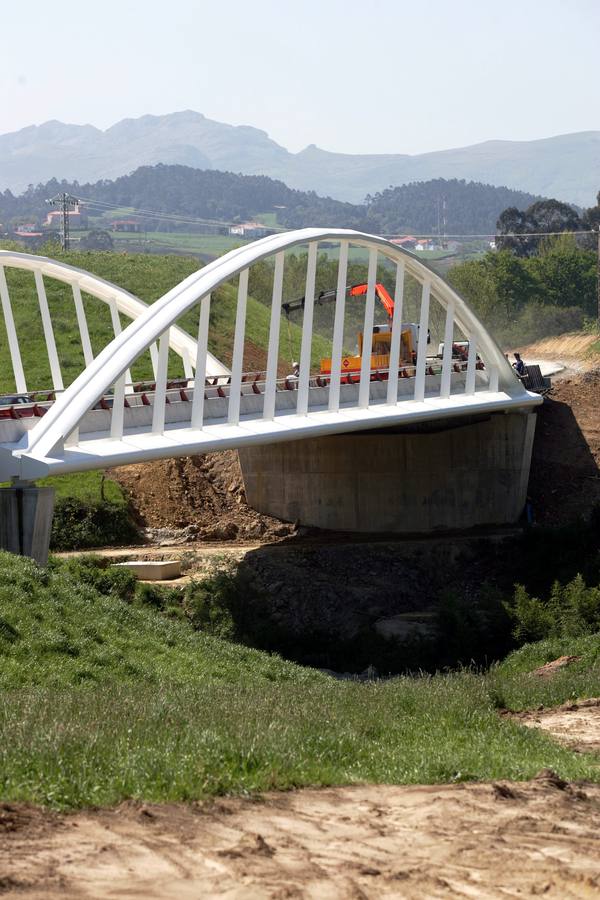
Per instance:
(102,419)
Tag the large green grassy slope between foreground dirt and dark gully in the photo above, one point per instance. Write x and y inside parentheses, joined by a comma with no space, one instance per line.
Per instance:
(103,700)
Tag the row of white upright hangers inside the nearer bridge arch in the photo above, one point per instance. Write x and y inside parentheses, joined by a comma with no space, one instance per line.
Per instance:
(425,375)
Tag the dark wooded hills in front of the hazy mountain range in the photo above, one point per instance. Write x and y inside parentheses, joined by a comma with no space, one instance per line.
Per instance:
(430,207)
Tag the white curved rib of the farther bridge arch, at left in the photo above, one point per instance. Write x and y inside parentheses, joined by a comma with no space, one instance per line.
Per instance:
(128,304)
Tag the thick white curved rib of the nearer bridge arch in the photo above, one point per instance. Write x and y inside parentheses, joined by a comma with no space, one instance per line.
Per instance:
(66,413)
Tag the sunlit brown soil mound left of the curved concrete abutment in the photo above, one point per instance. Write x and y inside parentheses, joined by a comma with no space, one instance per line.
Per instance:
(202,496)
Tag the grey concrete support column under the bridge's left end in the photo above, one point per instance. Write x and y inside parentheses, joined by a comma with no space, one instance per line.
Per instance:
(26,520)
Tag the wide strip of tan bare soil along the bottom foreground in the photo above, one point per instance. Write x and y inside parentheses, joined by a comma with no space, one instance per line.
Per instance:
(466,840)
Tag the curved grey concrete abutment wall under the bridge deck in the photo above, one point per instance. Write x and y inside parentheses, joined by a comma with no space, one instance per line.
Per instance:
(471,473)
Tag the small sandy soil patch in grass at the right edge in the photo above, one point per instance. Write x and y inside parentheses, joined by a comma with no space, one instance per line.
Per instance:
(575,724)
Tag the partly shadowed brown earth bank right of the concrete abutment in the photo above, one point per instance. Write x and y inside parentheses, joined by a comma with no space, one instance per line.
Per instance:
(565,470)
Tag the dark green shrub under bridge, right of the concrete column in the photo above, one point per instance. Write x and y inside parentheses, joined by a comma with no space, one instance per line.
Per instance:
(79,525)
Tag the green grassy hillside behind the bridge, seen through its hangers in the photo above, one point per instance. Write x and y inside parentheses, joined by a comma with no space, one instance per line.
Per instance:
(149,277)
